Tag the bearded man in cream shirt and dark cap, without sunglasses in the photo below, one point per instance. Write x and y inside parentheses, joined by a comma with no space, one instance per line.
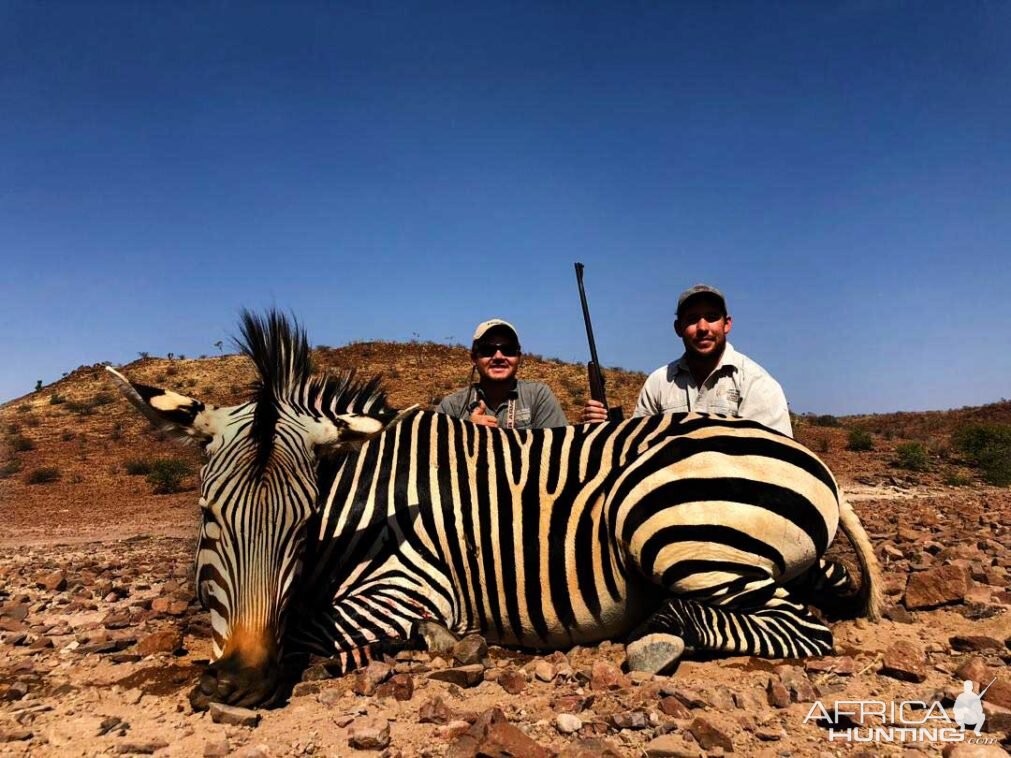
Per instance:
(711,377)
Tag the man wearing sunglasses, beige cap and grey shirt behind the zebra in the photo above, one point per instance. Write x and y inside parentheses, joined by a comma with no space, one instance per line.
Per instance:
(499,399)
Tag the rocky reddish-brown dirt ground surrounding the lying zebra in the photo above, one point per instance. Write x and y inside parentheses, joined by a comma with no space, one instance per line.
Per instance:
(102,639)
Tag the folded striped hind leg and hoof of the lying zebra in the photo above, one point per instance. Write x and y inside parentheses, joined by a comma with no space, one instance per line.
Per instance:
(761,619)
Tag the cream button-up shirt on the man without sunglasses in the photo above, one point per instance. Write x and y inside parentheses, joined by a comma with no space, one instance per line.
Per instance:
(739,388)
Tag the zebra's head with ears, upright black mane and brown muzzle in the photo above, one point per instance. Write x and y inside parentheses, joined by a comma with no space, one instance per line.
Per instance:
(258,494)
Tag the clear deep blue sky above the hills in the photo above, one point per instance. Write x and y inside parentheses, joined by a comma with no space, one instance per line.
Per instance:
(843,170)
